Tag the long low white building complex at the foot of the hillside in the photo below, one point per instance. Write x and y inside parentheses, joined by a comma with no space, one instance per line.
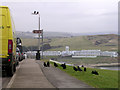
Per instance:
(84,53)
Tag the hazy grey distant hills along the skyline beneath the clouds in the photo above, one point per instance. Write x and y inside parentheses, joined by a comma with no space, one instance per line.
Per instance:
(57,34)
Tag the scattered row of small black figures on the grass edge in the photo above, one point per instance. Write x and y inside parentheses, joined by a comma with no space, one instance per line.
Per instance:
(47,64)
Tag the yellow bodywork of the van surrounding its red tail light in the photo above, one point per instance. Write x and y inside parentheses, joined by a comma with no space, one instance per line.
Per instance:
(6,32)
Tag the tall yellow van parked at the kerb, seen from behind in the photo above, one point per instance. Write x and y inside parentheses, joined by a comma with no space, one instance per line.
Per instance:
(7,42)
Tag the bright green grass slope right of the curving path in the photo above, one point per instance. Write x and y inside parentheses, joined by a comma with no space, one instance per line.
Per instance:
(105,79)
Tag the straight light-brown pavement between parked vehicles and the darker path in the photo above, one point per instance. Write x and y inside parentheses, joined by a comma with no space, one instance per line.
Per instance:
(29,75)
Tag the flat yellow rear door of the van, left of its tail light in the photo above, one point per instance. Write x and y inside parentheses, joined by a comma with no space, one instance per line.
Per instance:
(4,32)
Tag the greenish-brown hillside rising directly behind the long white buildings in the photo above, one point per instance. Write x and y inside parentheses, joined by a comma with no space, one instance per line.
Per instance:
(103,42)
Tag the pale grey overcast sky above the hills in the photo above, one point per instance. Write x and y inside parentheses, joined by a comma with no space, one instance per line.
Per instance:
(66,16)
